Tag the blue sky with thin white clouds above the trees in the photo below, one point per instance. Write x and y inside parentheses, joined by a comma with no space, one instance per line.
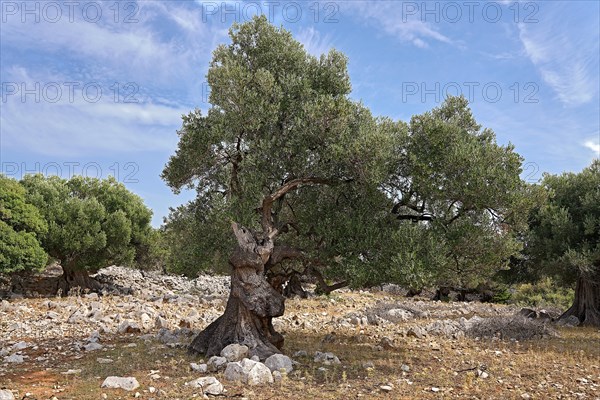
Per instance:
(98,87)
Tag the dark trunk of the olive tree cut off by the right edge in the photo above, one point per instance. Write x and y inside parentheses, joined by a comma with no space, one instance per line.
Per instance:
(586,305)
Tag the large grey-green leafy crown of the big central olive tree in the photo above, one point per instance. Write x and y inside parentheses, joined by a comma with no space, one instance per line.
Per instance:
(435,201)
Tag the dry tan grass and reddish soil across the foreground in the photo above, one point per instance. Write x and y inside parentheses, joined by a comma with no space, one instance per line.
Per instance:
(552,367)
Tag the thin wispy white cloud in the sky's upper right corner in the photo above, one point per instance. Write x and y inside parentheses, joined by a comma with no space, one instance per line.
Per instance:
(565,50)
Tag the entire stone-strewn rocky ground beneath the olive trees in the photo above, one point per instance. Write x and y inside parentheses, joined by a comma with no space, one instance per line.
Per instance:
(356,344)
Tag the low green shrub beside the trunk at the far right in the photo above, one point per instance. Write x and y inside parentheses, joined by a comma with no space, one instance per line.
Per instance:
(544,294)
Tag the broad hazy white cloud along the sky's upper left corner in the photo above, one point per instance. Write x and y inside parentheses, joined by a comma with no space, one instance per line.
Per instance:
(120,49)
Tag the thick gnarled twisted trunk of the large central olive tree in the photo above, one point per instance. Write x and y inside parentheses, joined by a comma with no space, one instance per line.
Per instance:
(252,303)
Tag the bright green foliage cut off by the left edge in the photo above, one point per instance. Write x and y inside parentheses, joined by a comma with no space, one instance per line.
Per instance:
(20,226)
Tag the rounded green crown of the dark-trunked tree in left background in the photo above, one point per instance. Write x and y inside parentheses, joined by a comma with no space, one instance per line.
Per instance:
(92,223)
